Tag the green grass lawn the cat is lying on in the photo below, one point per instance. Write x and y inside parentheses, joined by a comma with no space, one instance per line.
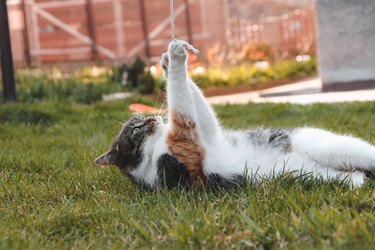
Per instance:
(51,196)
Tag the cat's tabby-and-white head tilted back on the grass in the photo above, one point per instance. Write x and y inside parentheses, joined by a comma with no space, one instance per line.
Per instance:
(133,147)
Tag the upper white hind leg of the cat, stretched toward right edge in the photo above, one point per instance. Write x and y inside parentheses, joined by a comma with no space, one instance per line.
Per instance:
(339,152)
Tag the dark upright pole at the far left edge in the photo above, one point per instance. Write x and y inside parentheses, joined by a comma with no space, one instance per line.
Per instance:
(7,71)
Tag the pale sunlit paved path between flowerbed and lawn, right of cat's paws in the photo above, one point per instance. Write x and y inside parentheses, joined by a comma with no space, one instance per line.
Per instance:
(304,92)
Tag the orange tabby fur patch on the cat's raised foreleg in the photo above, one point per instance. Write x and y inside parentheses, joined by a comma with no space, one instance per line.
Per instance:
(184,143)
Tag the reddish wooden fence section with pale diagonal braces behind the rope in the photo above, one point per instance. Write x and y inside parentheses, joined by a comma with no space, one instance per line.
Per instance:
(85,30)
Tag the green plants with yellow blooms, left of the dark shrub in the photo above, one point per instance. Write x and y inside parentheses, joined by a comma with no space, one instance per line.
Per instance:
(82,86)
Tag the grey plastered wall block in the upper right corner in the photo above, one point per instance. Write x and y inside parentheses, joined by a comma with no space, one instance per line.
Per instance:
(346,42)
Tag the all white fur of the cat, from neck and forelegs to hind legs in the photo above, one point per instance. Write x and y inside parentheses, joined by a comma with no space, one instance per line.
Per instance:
(315,151)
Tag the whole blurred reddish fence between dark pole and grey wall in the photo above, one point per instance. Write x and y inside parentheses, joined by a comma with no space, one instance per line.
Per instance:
(69,31)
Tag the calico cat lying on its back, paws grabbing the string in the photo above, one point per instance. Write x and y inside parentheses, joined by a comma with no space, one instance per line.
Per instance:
(192,148)
